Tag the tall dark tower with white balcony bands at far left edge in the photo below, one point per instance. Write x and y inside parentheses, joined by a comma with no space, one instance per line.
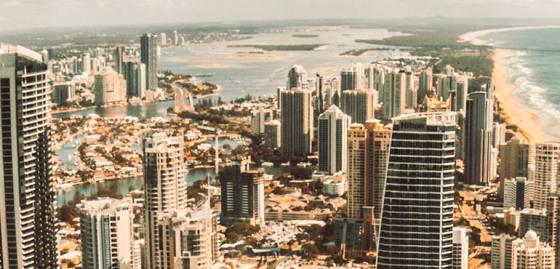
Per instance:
(27,221)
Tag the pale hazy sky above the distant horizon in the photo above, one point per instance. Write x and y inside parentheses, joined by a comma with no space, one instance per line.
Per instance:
(45,13)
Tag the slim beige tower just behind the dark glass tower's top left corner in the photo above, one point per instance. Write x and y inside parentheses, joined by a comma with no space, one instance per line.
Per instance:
(393,94)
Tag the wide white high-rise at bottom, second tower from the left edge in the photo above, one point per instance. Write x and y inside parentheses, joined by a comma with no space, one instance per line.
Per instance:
(106,233)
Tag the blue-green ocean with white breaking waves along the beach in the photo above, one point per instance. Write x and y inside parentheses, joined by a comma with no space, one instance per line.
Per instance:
(533,64)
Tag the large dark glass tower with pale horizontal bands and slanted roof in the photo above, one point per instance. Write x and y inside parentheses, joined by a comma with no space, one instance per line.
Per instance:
(417,216)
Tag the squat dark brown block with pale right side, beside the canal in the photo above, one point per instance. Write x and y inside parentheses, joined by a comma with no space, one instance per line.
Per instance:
(242,194)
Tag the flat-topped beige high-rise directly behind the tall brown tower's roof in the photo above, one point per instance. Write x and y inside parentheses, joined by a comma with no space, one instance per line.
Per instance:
(360,104)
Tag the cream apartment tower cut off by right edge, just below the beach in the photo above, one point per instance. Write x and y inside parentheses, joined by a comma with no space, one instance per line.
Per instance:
(547,172)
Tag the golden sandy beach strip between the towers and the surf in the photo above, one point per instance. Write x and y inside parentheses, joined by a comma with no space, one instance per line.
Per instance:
(513,109)
